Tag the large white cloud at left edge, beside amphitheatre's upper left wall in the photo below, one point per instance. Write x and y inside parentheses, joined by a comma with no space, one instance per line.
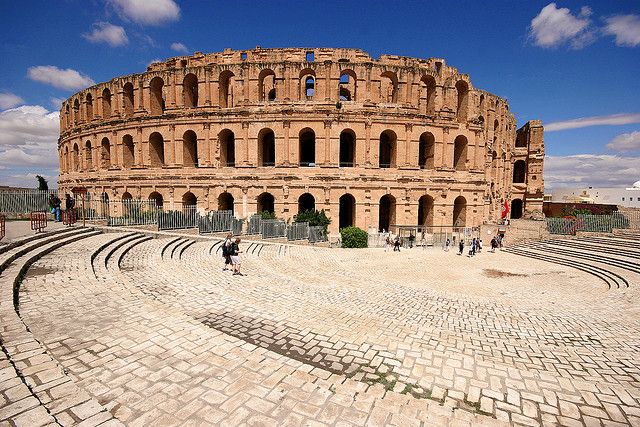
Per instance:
(29,124)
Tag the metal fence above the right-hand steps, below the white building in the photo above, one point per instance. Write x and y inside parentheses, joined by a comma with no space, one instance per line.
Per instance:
(593,223)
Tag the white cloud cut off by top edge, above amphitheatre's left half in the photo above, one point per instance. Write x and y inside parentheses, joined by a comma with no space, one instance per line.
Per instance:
(147,12)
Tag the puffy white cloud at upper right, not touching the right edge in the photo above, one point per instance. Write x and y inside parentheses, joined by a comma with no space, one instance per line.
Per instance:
(553,27)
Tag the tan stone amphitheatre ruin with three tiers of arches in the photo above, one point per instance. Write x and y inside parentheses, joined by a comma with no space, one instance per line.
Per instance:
(373,142)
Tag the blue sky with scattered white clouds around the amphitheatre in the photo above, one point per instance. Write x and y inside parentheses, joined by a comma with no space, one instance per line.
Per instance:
(555,62)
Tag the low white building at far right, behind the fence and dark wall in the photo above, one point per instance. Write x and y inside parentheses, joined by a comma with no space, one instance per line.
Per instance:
(627,197)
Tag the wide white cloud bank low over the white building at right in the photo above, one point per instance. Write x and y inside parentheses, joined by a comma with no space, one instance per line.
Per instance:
(583,170)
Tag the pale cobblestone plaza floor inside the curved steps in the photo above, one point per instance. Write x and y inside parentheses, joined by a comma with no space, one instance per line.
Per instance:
(158,334)
